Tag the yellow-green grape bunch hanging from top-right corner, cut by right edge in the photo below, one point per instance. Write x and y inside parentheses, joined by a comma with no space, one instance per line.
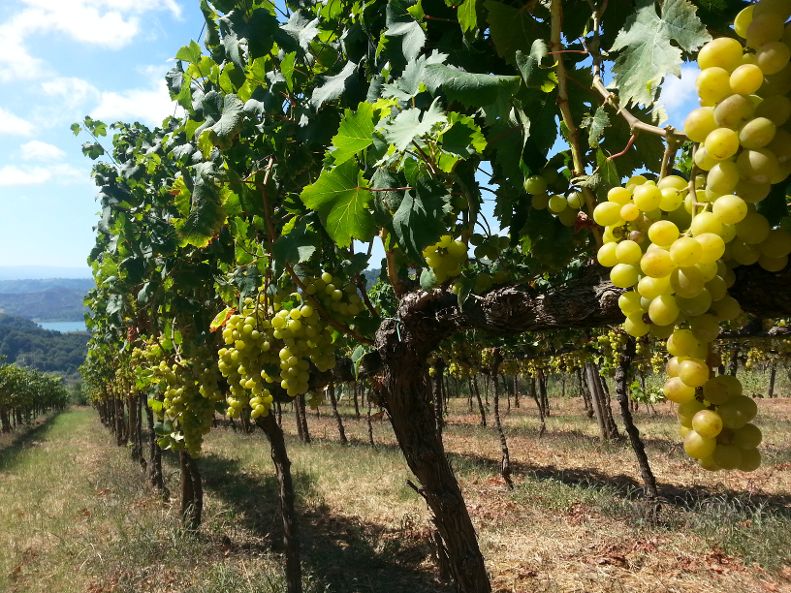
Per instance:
(742,128)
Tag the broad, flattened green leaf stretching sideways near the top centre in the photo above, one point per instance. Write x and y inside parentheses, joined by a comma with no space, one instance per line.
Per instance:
(468,88)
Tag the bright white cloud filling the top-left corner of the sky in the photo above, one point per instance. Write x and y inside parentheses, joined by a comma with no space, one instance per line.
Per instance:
(107,23)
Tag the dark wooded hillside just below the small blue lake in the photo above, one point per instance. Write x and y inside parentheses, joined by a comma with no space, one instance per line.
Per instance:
(25,343)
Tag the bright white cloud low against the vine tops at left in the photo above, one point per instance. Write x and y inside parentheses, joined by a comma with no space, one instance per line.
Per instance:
(149,105)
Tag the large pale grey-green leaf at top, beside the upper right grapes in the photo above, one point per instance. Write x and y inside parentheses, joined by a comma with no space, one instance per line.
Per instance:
(646,50)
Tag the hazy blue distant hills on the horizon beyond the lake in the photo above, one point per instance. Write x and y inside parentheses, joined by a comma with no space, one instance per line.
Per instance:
(52,299)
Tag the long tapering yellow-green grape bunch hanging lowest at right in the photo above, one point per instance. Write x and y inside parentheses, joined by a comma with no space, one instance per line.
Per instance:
(677,285)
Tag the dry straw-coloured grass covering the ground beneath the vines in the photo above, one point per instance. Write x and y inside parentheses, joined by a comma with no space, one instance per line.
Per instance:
(75,514)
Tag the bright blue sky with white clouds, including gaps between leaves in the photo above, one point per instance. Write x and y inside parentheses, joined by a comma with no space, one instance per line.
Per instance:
(63,59)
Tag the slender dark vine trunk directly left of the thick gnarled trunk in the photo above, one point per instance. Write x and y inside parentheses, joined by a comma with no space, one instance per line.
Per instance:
(286,499)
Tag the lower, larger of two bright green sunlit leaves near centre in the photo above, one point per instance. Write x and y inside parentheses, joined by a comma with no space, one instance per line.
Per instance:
(341,198)
